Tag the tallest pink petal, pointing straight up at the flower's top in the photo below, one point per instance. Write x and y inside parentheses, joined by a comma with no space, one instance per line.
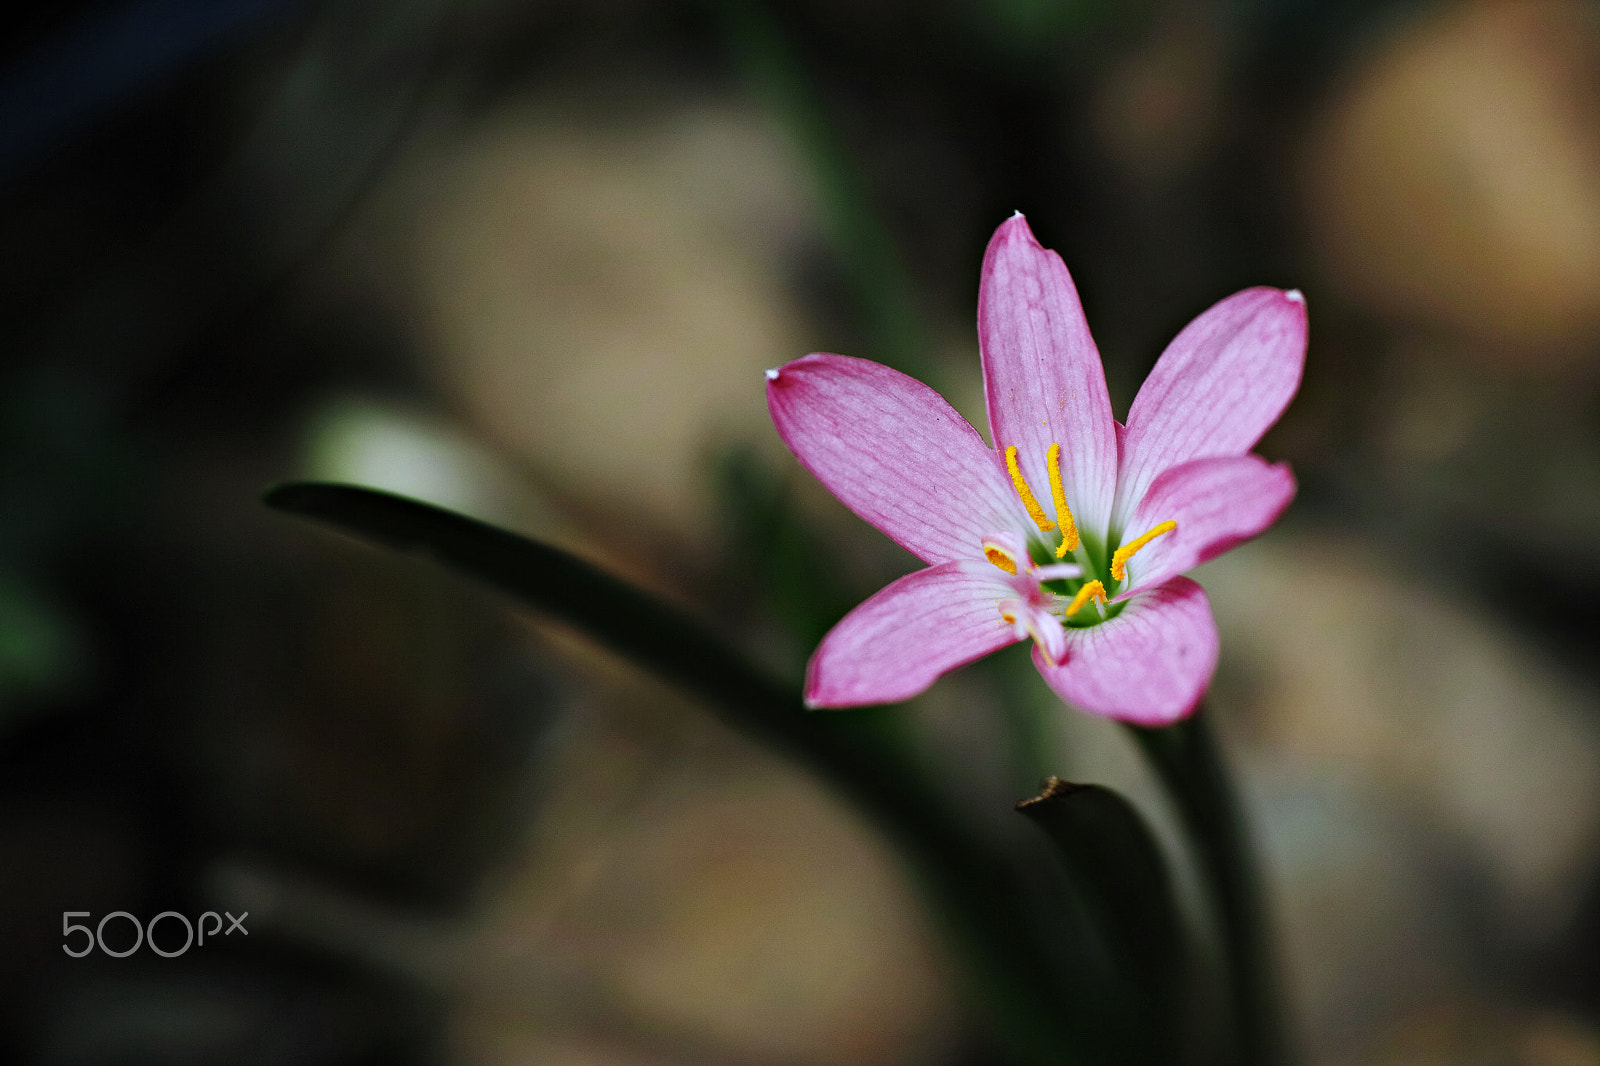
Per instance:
(1042,375)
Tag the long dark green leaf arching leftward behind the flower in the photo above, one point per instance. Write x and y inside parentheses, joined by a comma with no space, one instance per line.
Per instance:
(1034,958)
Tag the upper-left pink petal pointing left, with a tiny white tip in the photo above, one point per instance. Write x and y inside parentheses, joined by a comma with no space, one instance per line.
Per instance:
(895,454)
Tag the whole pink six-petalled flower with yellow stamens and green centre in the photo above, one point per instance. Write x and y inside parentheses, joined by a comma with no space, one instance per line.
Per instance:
(1073,529)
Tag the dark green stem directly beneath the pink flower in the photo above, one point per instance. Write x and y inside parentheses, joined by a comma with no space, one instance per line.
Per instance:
(1190,763)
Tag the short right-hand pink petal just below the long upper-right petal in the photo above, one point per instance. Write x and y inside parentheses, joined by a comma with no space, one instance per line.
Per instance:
(1217,503)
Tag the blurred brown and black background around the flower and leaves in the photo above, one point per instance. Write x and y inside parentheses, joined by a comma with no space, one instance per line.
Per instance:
(527,260)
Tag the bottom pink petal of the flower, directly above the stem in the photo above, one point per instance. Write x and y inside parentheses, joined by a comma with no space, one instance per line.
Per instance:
(1150,665)
